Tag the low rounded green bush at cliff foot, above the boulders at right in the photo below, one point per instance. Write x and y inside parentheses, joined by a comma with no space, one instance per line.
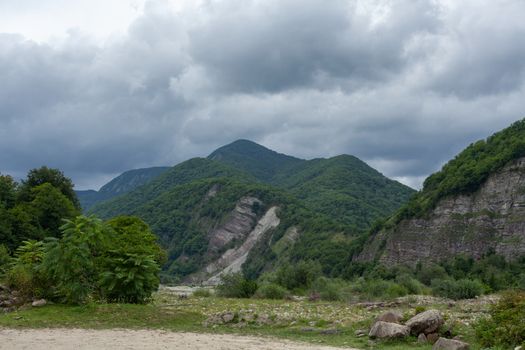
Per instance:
(457,289)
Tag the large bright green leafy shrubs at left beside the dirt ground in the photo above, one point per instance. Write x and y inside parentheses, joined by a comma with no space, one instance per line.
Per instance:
(93,260)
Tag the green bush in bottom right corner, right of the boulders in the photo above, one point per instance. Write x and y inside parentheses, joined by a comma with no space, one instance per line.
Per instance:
(506,324)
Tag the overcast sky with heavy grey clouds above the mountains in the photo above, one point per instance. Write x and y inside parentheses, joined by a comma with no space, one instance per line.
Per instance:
(99,87)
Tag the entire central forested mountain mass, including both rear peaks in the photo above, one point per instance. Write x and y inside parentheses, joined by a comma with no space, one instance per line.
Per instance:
(248,208)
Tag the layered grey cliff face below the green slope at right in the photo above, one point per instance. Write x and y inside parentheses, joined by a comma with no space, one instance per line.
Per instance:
(491,219)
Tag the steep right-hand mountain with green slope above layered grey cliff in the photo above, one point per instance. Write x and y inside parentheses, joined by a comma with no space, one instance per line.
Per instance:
(474,206)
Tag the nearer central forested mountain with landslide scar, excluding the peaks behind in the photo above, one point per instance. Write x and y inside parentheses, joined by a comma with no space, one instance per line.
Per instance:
(213,218)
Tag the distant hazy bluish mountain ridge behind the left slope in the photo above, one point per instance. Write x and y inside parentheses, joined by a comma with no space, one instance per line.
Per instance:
(123,183)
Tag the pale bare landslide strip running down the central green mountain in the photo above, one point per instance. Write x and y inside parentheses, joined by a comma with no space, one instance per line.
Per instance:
(232,259)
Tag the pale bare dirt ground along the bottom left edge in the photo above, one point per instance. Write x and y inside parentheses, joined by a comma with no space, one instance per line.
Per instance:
(82,339)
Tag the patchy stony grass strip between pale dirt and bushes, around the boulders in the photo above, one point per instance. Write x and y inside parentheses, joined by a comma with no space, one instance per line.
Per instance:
(294,320)
